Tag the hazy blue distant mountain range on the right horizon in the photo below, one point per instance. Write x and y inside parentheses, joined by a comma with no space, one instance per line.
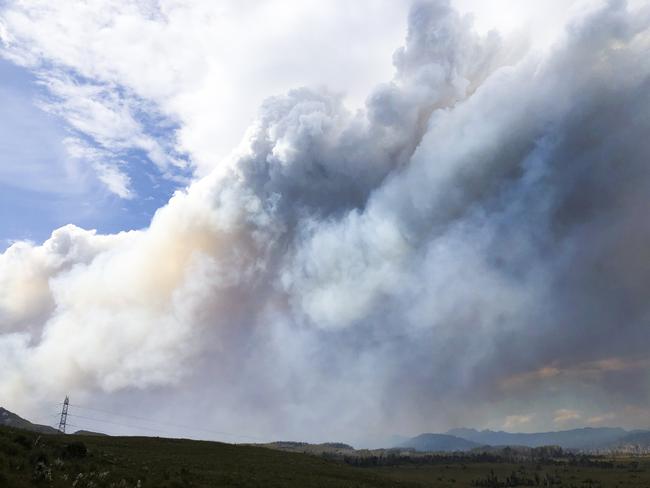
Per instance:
(588,438)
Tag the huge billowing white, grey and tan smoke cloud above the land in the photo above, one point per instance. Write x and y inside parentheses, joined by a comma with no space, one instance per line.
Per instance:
(470,248)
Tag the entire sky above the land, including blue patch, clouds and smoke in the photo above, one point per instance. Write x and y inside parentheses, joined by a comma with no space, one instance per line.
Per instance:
(326,221)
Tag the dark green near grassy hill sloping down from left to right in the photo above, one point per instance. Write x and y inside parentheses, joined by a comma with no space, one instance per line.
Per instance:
(28,459)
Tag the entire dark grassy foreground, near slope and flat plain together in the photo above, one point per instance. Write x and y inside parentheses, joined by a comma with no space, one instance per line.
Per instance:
(30,459)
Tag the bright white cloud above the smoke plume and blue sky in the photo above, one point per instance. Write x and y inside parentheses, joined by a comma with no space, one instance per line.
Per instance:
(205,65)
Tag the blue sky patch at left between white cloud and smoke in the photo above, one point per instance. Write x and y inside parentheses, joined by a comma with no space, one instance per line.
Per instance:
(42,187)
